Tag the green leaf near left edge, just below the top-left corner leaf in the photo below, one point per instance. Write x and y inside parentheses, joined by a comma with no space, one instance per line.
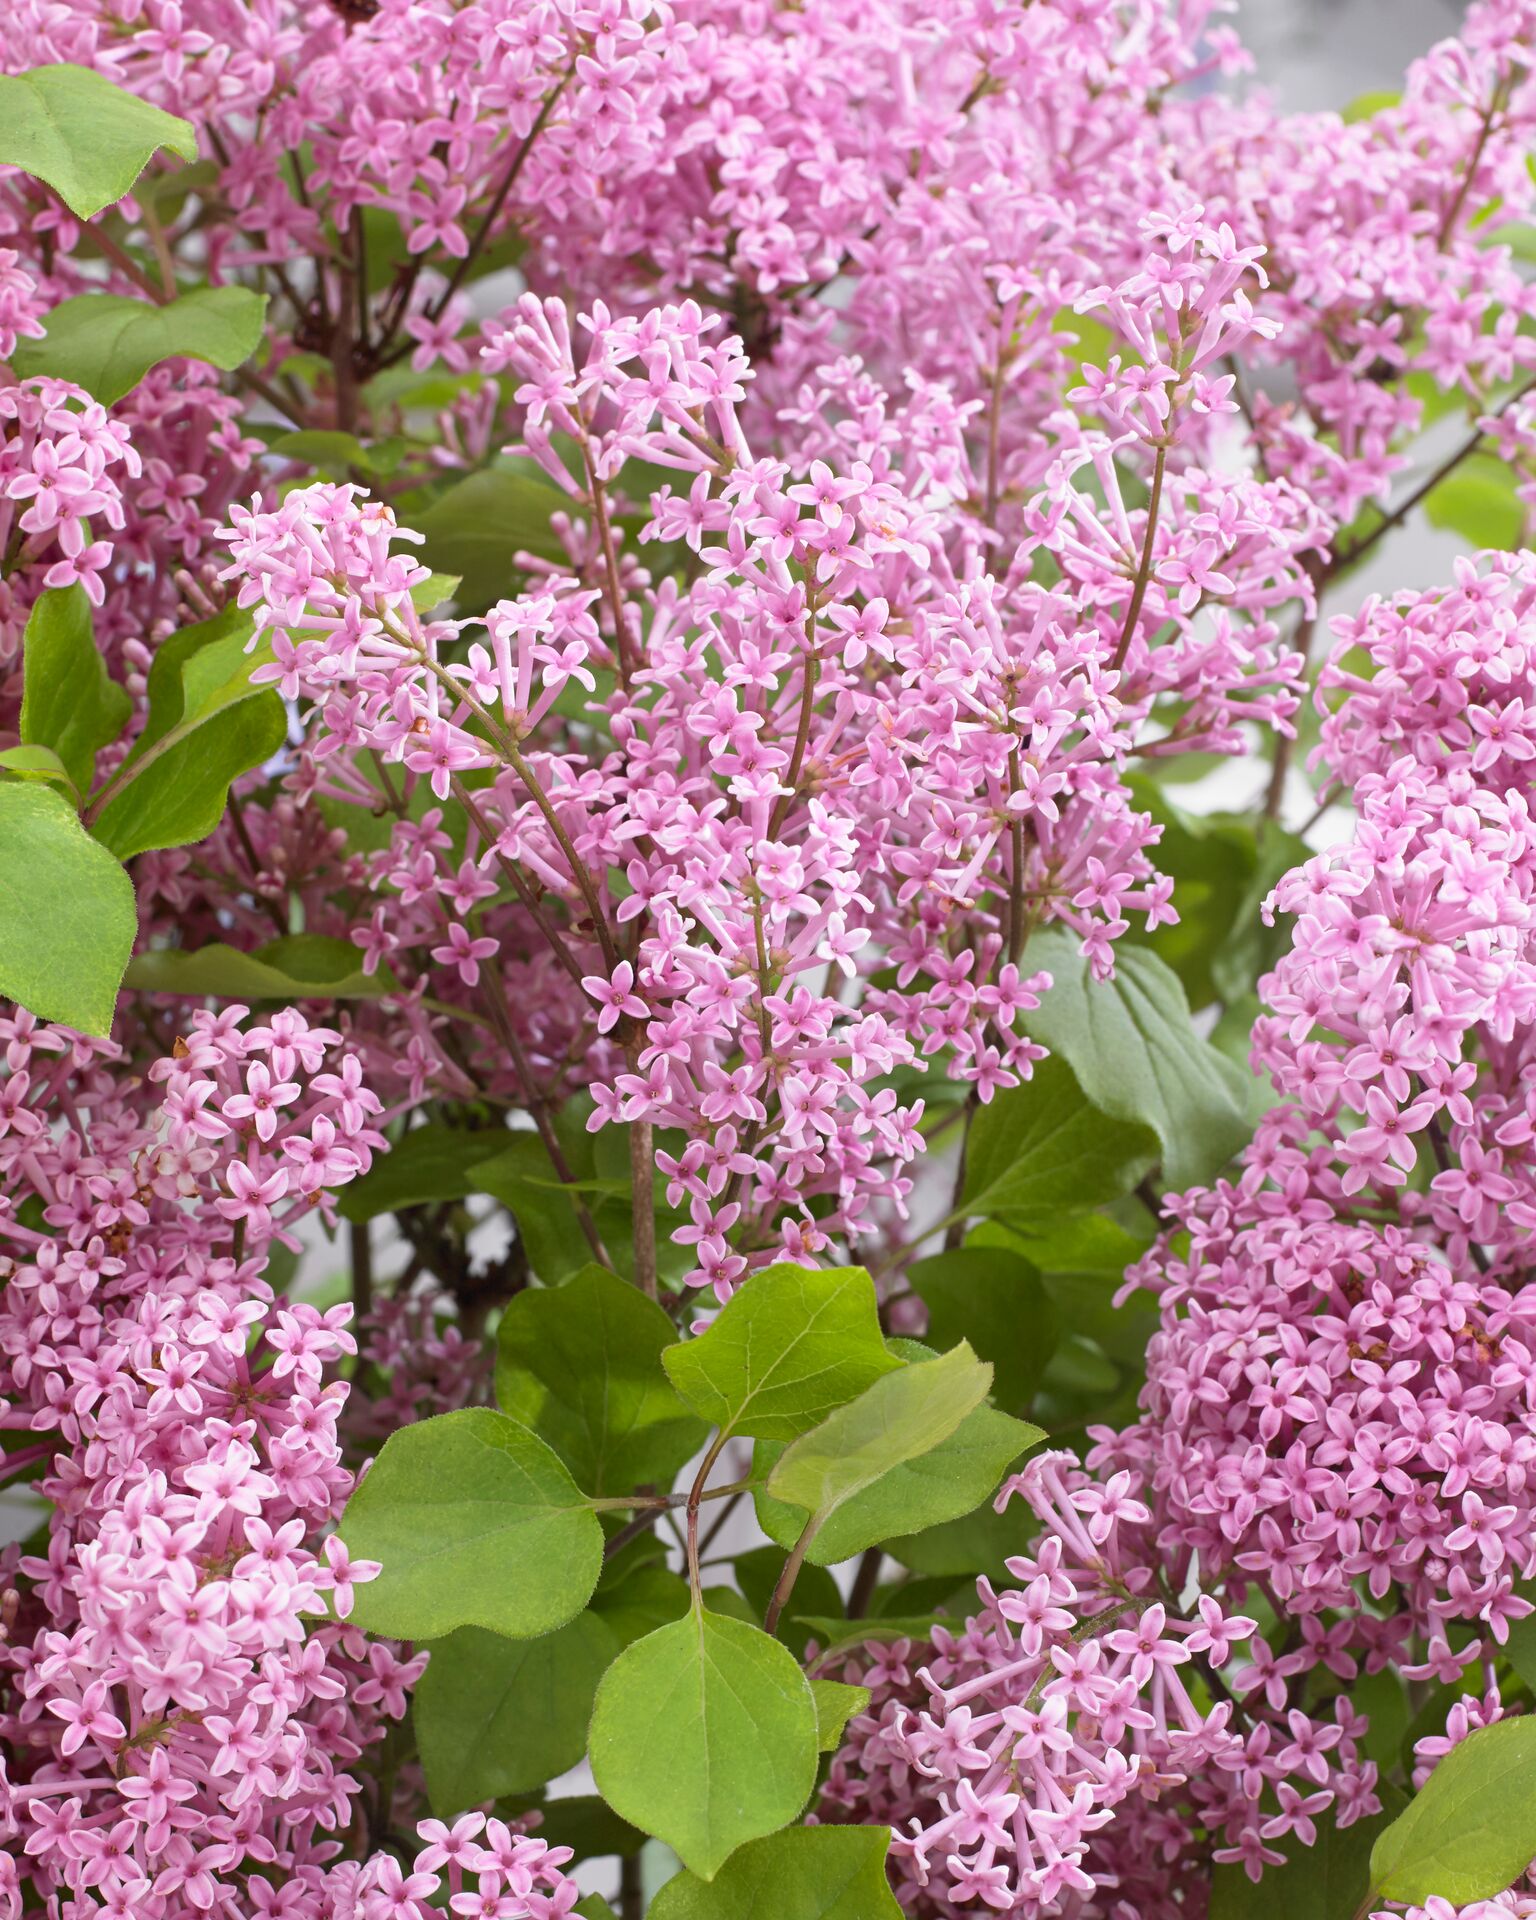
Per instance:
(107,343)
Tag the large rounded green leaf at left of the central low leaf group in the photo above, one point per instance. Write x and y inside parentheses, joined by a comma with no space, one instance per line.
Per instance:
(477,1524)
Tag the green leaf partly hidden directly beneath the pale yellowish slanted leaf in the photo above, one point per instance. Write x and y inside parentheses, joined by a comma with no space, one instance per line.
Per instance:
(924,1493)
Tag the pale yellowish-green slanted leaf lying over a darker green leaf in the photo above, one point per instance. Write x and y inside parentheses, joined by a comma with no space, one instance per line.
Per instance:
(900,1418)
